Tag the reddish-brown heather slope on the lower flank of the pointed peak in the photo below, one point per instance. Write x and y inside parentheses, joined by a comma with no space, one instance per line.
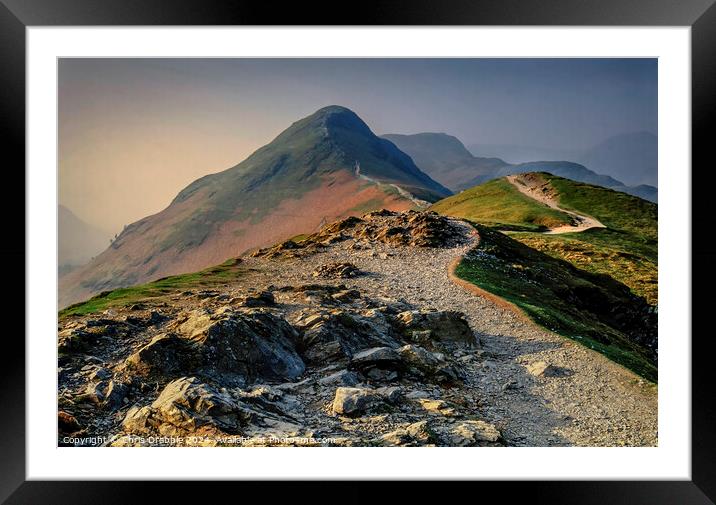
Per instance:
(339,195)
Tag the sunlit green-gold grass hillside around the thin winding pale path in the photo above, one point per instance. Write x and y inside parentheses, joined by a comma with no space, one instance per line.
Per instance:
(626,249)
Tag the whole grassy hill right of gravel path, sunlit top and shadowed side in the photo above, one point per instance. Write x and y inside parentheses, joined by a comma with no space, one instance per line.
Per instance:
(598,286)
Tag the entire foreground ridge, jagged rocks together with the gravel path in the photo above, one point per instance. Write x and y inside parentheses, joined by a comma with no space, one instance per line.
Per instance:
(352,336)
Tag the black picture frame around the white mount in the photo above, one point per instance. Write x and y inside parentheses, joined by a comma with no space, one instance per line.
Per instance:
(16,15)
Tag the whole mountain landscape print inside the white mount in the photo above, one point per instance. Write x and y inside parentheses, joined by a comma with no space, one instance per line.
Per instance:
(307,253)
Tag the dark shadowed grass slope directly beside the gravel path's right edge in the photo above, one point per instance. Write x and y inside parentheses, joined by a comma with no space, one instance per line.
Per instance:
(591,308)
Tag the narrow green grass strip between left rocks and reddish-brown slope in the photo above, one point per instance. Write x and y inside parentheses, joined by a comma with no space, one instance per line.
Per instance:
(203,279)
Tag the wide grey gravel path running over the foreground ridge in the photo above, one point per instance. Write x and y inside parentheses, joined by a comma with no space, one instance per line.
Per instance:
(593,402)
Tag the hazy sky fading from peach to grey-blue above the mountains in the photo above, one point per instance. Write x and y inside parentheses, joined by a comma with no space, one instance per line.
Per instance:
(134,132)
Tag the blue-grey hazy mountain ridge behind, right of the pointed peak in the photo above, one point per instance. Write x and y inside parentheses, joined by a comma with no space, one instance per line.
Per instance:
(448,161)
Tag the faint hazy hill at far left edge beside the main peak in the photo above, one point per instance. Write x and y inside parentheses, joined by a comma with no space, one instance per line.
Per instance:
(78,241)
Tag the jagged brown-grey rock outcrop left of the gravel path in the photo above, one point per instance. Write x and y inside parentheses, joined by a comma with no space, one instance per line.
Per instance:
(300,358)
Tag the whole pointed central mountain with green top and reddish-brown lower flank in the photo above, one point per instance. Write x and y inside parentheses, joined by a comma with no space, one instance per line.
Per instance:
(306,176)
